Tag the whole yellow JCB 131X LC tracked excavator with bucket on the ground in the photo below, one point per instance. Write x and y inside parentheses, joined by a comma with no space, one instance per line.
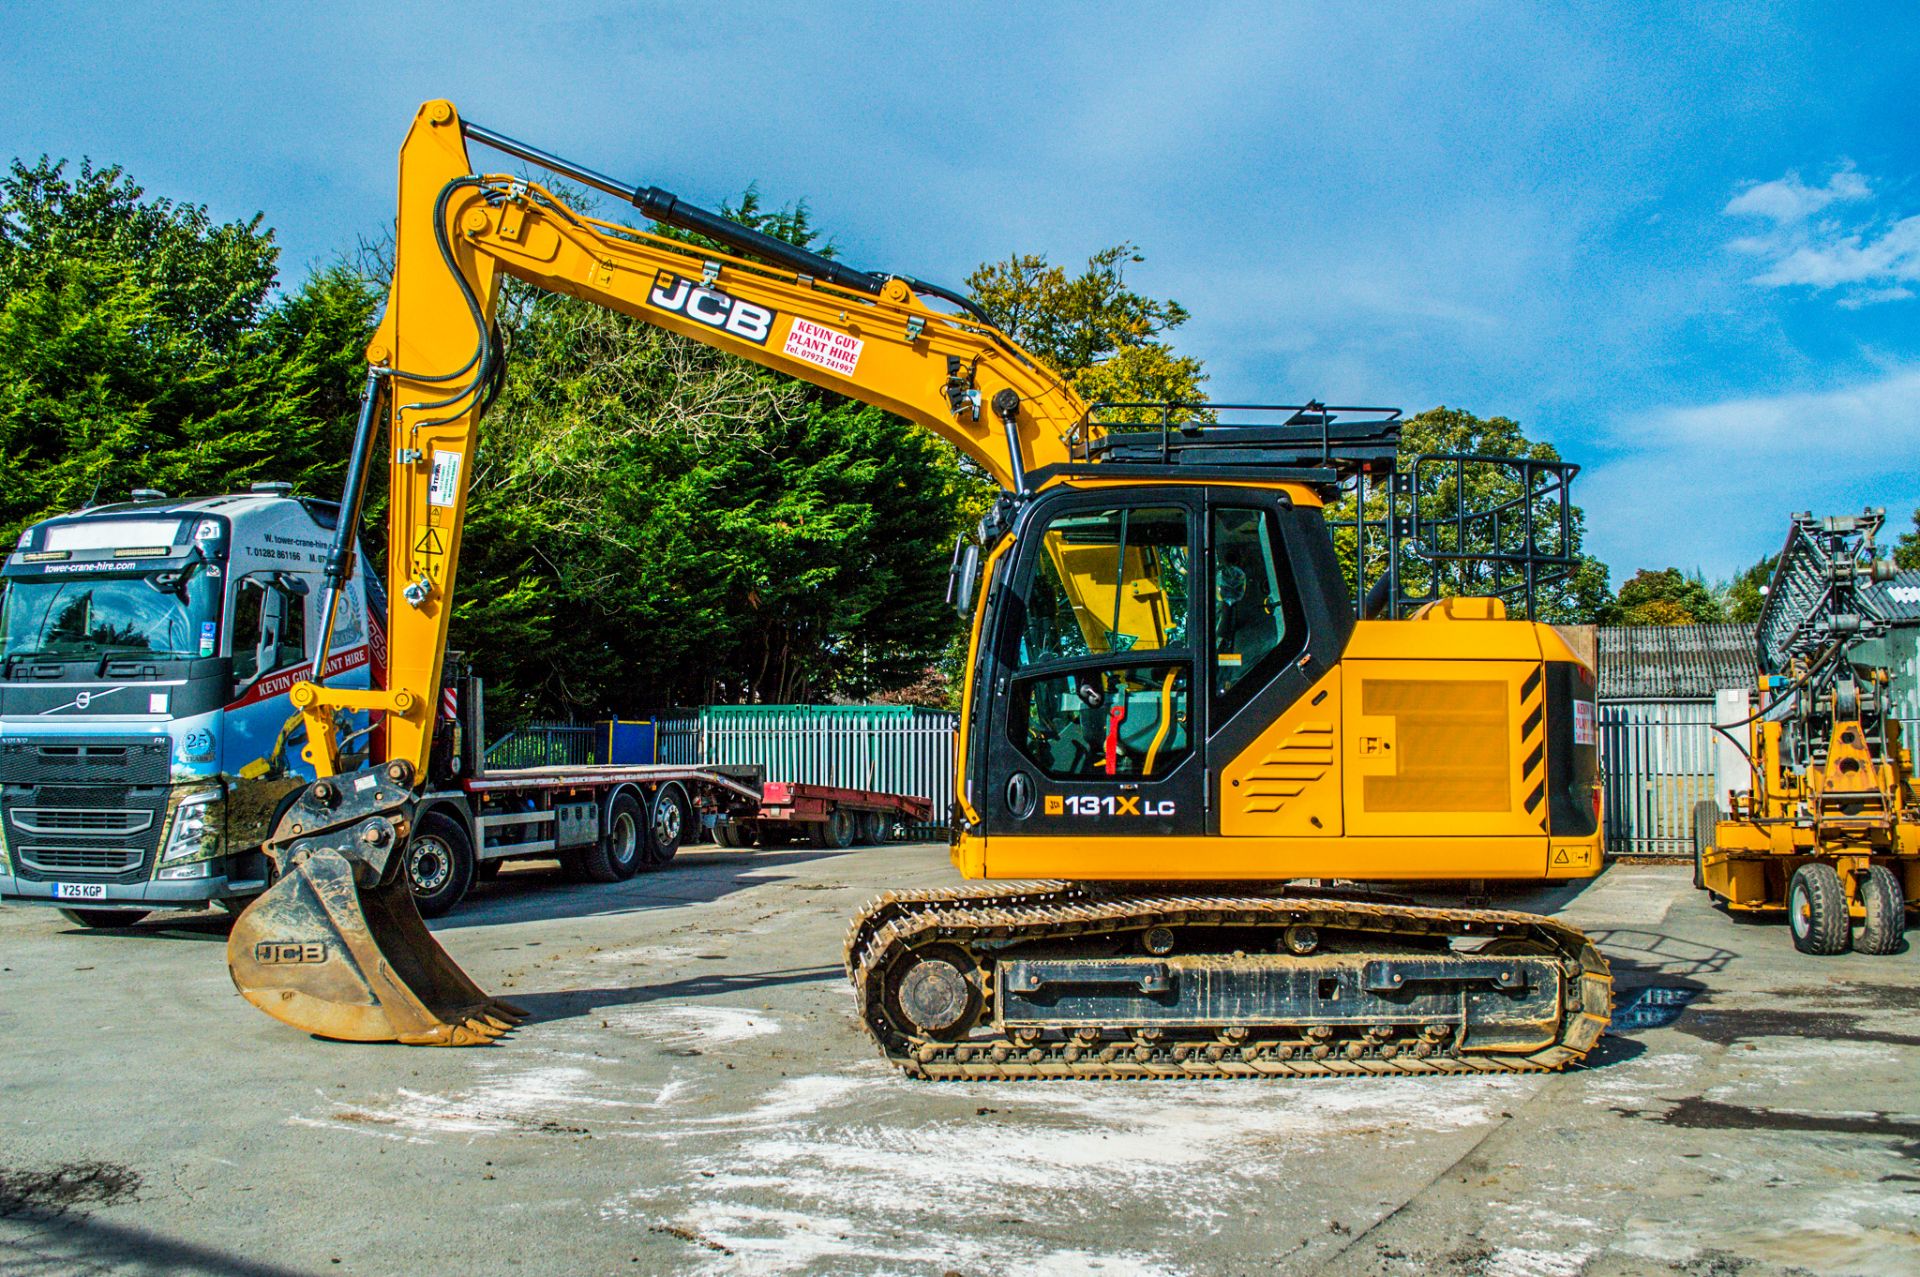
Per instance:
(1172,710)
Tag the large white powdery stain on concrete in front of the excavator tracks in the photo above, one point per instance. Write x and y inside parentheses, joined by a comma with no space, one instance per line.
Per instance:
(907,1182)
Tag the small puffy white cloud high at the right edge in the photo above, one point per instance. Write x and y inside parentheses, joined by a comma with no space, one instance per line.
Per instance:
(1869,262)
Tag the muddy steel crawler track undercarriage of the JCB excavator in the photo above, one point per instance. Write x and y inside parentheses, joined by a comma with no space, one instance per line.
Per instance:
(1061,980)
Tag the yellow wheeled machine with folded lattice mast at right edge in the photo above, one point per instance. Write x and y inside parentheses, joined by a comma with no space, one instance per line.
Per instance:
(1829,827)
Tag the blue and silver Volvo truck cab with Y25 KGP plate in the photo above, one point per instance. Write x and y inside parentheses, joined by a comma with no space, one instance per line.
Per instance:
(147,736)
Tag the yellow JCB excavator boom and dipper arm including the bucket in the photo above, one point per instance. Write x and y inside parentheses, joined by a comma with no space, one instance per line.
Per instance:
(337,948)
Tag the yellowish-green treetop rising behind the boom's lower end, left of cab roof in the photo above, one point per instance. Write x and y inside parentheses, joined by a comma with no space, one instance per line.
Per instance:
(1095,331)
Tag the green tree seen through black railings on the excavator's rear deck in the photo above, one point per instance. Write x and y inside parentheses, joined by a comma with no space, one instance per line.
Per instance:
(1573,600)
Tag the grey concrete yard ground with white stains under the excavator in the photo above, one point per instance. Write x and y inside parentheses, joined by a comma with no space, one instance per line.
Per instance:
(694,1096)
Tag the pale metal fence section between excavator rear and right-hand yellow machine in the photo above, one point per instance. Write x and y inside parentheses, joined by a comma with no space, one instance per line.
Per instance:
(1658,759)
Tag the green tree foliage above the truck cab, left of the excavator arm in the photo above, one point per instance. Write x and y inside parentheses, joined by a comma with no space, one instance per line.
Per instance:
(141,347)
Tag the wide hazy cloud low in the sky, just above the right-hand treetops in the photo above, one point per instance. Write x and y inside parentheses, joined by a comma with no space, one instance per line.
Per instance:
(1714,485)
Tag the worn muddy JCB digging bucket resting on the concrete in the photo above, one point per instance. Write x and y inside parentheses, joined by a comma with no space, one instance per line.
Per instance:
(335,957)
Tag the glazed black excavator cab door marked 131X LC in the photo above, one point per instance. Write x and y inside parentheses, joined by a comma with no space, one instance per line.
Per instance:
(1095,723)
